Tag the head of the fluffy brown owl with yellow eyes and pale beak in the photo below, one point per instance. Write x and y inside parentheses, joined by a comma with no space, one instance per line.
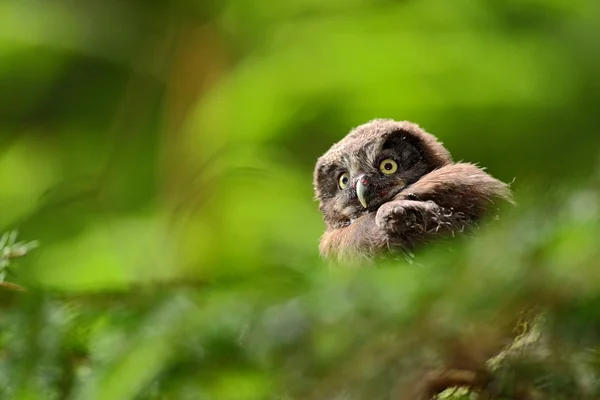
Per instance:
(372,164)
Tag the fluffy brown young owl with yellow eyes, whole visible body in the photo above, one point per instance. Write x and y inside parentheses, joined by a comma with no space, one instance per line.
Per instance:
(389,186)
